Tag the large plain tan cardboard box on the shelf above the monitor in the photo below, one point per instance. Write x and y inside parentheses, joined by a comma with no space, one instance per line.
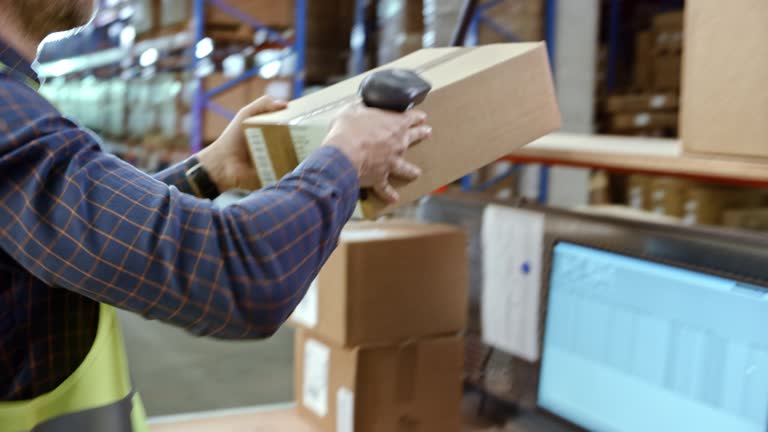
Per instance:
(724,106)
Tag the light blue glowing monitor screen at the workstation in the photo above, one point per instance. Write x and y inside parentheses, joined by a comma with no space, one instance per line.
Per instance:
(632,345)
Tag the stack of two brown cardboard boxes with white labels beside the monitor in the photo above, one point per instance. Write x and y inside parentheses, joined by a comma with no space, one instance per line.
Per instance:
(377,347)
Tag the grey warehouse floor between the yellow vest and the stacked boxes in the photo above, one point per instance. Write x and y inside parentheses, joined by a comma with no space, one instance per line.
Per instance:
(178,373)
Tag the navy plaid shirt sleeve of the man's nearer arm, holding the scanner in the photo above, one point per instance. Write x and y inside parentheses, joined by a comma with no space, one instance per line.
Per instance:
(85,221)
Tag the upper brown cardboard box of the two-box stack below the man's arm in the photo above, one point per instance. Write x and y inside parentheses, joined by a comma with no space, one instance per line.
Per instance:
(389,282)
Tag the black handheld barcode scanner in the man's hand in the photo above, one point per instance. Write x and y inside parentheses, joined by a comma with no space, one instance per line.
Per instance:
(393,90)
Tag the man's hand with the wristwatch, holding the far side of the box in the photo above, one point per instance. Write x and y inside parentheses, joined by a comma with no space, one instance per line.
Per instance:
(227,160)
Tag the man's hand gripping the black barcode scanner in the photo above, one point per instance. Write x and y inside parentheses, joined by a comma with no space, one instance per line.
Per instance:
(375,141)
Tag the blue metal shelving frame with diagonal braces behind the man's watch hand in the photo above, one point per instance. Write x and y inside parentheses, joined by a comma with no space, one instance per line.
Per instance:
(202,99)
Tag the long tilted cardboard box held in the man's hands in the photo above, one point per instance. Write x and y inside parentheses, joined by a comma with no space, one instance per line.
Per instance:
(486,102)
